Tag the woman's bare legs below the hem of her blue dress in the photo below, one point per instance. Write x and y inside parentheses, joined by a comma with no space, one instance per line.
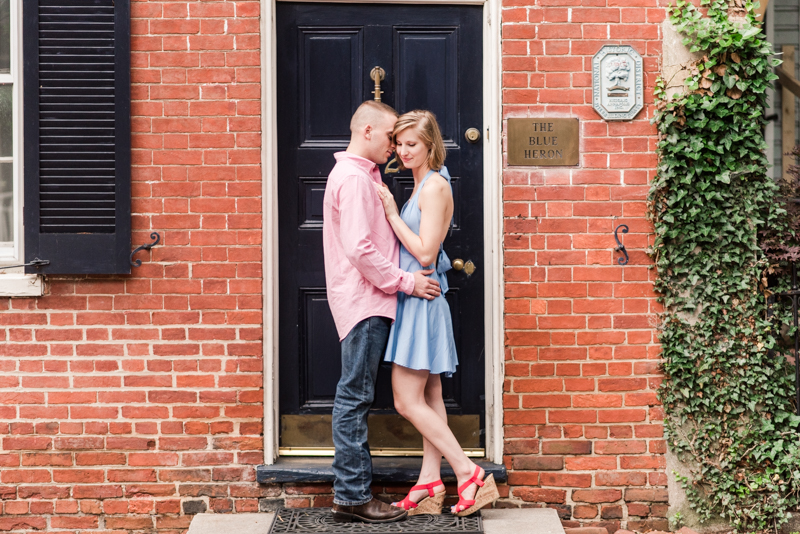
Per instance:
(409,388)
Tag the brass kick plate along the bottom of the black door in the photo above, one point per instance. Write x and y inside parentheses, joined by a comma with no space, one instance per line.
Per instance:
(387,432)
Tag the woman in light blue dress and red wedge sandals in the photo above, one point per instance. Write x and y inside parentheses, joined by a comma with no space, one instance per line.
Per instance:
(421,344)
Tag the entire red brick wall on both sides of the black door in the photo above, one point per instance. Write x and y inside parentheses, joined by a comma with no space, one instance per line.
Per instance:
(128,403)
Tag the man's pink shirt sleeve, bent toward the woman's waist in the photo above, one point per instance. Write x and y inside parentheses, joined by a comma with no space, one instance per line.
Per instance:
(356,207)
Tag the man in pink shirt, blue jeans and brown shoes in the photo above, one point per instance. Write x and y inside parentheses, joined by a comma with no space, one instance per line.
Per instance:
(361,258)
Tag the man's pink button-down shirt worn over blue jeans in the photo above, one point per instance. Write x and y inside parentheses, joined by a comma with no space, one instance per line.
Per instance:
(361,250)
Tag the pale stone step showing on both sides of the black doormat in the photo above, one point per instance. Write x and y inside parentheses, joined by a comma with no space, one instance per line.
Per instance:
(495,521)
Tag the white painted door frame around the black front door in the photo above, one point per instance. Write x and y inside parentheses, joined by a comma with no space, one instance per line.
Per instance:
(492,210)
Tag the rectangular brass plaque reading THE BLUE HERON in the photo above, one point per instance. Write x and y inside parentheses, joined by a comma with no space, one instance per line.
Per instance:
(547,141)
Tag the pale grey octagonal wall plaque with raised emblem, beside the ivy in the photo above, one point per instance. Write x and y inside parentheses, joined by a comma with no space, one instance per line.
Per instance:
(617,83)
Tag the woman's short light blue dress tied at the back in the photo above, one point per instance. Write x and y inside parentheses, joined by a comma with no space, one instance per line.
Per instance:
(422,334)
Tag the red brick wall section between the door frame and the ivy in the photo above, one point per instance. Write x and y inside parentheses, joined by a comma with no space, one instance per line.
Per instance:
(583,427)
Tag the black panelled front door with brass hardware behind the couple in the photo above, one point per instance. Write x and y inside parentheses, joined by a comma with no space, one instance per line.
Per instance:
(432,57)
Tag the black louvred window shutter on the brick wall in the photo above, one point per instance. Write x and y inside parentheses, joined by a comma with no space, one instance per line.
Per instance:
(77,140)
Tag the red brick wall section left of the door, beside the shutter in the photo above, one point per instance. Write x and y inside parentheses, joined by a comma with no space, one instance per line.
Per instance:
(122,397)
